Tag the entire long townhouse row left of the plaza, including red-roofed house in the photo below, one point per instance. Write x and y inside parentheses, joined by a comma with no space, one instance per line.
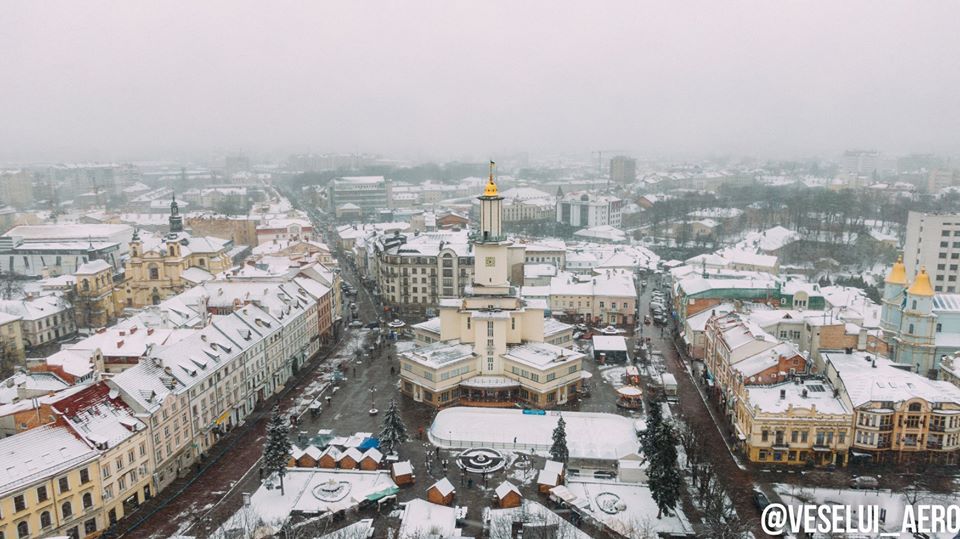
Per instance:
(91,454)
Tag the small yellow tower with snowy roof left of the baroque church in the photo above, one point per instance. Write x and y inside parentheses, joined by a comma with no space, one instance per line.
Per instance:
(97,299)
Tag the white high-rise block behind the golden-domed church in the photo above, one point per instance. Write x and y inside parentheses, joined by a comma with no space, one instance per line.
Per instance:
(933,241)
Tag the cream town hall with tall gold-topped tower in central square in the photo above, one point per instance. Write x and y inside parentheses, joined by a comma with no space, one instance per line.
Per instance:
(489,345)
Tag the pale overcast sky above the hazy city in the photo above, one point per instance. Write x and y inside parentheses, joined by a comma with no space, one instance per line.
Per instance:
(137,79)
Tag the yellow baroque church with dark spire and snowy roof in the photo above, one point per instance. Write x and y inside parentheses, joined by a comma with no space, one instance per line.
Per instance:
(159,268)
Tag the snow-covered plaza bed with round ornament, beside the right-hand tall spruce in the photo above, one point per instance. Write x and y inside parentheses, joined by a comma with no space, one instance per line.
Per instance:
(633,506)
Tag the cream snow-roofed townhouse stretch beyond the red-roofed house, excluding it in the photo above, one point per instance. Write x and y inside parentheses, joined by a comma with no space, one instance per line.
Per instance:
(199,388)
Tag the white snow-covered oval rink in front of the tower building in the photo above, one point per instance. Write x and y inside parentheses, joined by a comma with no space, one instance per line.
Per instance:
(589,435)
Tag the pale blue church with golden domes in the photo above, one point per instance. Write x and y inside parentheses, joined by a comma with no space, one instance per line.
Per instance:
(919,324)
